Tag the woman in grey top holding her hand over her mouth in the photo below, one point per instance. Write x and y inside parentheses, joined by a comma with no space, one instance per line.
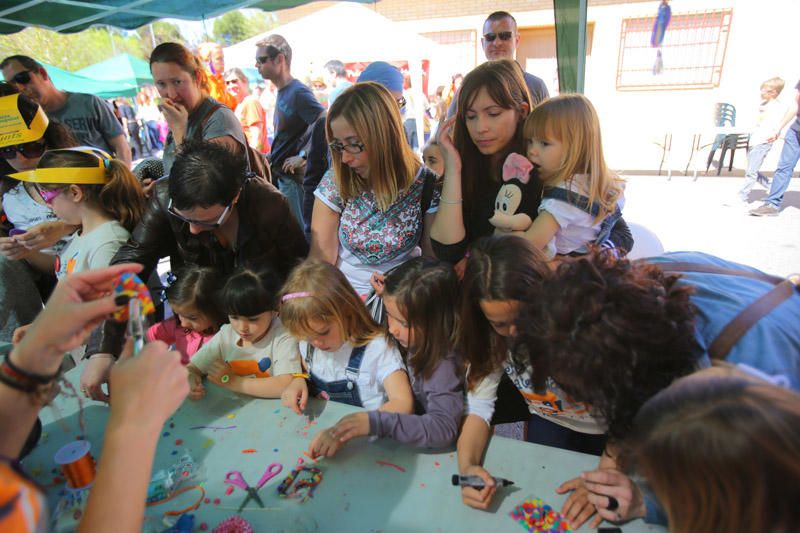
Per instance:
(190,112)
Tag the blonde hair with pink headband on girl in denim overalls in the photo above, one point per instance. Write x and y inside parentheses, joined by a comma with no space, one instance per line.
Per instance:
(318,291)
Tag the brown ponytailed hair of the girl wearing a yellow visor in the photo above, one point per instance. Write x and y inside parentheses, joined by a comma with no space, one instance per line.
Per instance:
(120,198)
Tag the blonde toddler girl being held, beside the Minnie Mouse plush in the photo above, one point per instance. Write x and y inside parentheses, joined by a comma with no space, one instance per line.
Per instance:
(582,198)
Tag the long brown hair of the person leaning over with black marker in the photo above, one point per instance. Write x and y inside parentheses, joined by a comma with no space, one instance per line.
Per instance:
(498,268)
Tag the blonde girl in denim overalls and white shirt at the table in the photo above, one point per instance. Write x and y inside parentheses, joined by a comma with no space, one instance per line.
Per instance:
(345,354)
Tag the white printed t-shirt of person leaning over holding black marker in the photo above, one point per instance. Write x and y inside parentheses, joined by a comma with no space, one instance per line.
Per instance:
(554,405)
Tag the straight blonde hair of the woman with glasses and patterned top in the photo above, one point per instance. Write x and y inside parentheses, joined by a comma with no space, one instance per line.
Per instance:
(373,113)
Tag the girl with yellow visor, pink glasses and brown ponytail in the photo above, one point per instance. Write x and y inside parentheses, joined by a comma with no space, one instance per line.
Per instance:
(85,187)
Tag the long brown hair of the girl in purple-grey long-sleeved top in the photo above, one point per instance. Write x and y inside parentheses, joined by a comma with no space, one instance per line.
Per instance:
(426,292)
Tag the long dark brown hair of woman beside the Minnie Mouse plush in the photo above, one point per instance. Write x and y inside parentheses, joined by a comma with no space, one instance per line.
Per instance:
(505,83)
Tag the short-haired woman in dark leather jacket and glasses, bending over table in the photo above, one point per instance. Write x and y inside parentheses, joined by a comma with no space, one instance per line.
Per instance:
(208,213)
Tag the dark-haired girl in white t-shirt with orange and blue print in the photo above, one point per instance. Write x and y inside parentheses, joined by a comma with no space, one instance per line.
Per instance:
(255,342)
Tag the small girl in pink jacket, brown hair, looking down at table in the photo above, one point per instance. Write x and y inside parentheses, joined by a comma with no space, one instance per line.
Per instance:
(194,299)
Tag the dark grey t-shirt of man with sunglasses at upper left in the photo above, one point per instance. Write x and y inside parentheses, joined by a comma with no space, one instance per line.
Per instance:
(91,120)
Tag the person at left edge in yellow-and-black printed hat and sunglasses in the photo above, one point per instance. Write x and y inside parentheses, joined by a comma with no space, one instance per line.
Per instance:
(31,233)
